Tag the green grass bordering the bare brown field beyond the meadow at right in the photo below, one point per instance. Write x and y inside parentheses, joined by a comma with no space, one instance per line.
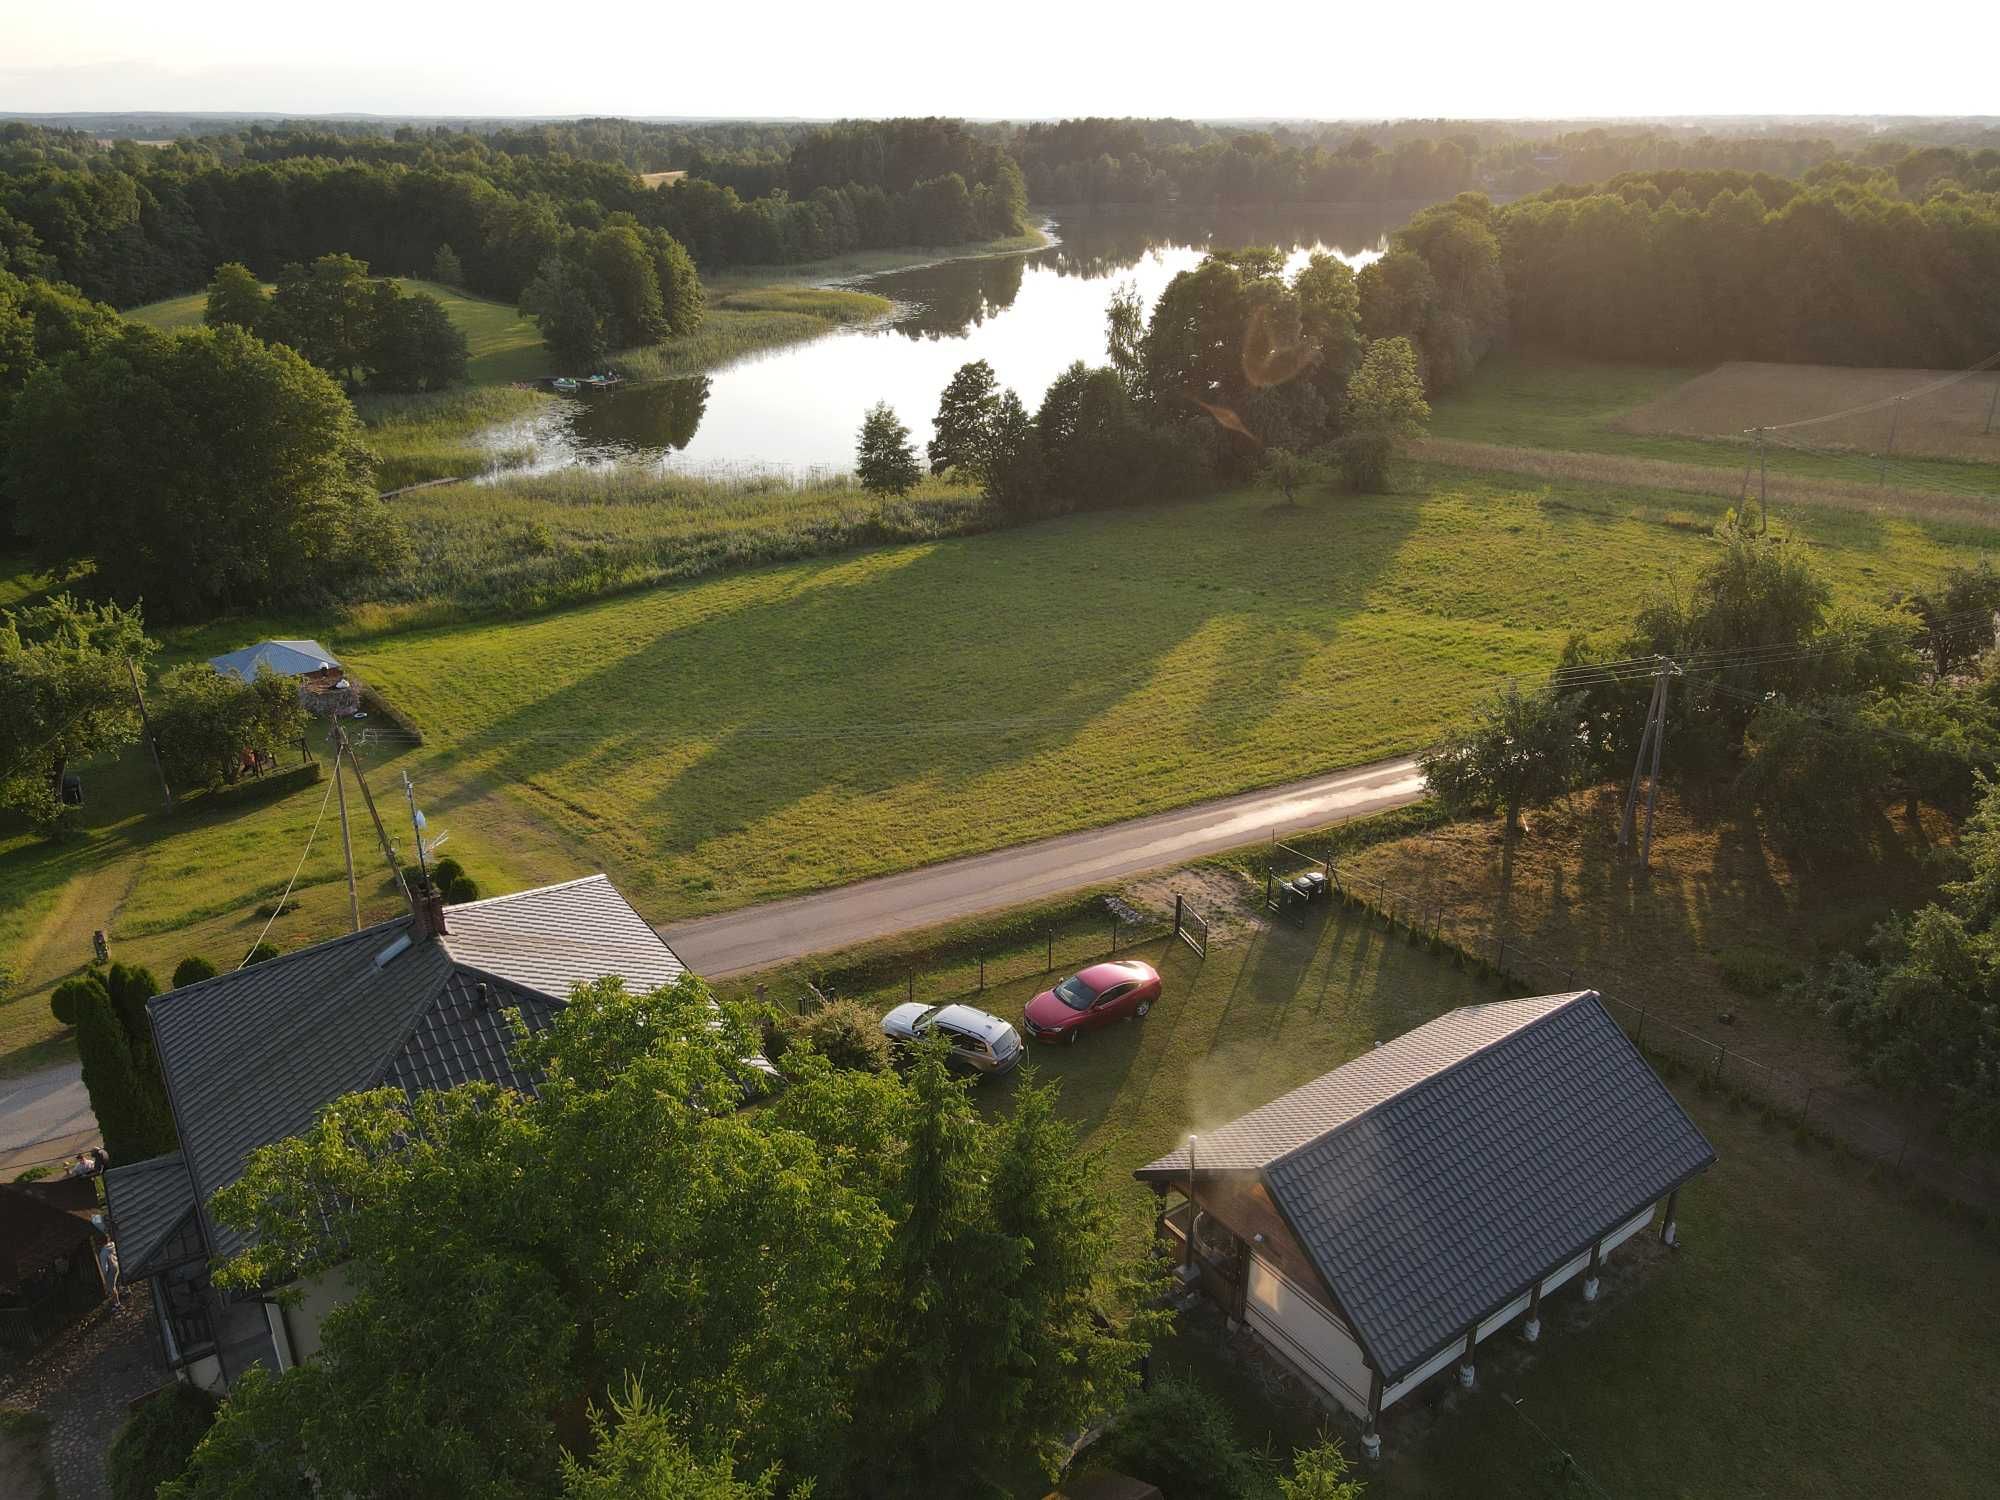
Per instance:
(1527,399)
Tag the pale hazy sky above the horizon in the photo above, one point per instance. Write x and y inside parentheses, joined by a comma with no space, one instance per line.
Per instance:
(1211,61)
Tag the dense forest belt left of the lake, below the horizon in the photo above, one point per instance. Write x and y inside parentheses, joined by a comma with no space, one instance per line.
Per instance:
(131,225)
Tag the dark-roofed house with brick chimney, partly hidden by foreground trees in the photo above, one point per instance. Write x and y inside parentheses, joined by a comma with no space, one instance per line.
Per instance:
(251,1057)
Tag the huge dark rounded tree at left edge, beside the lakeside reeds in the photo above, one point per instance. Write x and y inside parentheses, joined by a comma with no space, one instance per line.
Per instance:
(237,475)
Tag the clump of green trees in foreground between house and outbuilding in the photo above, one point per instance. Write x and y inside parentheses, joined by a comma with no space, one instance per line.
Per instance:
(907,1255)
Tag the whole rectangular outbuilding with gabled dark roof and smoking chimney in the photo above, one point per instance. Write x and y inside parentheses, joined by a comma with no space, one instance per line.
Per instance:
(1375,1225)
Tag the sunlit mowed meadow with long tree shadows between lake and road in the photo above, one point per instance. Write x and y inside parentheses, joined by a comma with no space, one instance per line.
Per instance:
(787,729)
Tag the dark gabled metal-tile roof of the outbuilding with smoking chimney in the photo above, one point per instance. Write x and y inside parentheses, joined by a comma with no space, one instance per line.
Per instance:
(1435,1179)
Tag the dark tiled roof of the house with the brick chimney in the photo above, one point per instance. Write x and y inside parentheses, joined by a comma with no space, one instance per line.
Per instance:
(251,1057)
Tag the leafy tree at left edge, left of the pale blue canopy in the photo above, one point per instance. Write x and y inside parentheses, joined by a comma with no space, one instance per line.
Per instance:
(65,695)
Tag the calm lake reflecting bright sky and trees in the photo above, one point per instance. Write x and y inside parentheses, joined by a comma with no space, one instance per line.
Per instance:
(797,411)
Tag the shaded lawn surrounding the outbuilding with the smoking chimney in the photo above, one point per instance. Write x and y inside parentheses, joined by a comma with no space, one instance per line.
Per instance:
(1751,1363)
